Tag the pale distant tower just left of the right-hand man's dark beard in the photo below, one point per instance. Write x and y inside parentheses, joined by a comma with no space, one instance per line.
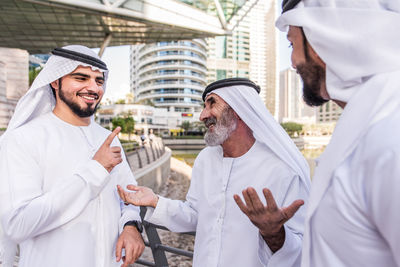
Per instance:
(291,104)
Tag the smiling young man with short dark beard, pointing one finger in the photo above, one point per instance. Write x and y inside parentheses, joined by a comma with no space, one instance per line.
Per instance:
(59,170)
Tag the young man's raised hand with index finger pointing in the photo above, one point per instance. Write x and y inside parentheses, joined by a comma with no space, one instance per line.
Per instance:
(108,156)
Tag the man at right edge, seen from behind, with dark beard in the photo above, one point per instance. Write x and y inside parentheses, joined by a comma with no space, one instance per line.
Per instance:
(348,51)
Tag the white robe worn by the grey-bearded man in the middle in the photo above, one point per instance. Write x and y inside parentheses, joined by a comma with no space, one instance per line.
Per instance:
(225,236)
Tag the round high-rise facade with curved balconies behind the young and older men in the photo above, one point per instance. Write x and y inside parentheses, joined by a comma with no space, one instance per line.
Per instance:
(171,75)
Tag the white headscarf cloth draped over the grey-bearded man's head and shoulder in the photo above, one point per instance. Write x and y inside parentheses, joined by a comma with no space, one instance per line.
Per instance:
(245,101)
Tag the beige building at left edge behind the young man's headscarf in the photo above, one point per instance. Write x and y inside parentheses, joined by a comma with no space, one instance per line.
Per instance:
(14,81)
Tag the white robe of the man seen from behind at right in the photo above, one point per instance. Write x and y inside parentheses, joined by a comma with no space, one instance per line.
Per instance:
(356,223)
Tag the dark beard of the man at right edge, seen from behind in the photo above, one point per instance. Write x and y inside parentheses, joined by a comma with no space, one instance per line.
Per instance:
(313,77)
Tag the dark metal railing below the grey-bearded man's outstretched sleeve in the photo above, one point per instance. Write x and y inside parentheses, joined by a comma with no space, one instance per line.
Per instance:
(157,248)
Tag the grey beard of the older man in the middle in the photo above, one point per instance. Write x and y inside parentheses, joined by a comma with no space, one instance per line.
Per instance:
(222,129)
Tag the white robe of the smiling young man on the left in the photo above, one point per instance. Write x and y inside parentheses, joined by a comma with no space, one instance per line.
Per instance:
(61,206)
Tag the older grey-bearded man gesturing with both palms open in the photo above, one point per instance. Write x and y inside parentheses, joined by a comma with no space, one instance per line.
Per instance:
(246,148)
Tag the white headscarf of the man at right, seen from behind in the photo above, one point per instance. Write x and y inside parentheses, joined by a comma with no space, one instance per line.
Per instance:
(360,42)
